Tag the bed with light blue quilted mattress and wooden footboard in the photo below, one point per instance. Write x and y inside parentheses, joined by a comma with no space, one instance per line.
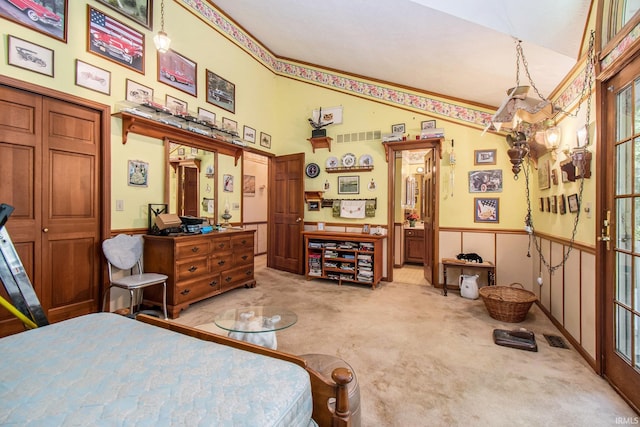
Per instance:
(106,369)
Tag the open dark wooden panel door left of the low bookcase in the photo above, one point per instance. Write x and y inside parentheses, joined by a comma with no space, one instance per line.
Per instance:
(286,213)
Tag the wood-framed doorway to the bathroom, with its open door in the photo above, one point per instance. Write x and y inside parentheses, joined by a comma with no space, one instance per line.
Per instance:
(425,181)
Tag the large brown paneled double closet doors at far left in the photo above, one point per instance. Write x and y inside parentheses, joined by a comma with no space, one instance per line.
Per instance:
(50,162)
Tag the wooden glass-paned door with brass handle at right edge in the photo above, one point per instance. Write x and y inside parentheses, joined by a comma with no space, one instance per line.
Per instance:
(620,258)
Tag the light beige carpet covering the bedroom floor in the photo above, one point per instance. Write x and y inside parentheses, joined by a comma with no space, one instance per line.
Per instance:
(427,360)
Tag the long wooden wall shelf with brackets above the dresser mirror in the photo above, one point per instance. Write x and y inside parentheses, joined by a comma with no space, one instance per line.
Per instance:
(155,129)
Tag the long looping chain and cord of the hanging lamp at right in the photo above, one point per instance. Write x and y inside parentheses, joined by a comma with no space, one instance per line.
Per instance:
(527,170)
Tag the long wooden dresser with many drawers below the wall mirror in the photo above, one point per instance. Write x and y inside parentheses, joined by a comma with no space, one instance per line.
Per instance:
(199,266)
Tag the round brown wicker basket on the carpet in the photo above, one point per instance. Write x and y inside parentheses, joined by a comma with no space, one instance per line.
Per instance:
(507,303)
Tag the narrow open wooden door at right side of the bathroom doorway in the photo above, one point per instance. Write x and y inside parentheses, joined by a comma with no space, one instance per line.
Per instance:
(430,195)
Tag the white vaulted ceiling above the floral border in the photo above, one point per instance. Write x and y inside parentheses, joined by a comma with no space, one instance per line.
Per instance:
(463,49)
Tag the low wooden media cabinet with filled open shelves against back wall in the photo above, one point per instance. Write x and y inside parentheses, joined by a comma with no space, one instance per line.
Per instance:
(345,257)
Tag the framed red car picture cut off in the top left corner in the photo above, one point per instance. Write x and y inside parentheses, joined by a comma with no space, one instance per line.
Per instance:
(49,19)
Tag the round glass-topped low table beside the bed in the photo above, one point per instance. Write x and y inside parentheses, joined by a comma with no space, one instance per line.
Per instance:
(256,324)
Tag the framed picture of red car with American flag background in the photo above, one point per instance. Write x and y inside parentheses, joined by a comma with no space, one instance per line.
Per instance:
(115,41)
